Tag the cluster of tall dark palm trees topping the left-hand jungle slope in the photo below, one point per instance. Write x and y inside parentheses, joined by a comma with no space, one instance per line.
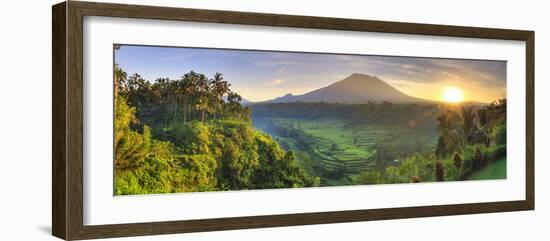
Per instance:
(192,97)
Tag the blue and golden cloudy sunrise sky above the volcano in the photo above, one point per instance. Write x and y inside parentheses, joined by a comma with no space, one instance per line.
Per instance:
(264,75)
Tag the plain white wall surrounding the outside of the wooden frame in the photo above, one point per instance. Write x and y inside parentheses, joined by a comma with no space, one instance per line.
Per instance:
(25,120)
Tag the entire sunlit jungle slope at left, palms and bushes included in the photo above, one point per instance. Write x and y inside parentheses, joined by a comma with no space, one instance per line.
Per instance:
(192,134)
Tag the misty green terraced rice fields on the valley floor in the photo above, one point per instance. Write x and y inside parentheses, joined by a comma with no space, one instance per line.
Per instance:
(337,145)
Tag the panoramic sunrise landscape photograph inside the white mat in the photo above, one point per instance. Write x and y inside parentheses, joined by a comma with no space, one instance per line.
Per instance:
(203,119)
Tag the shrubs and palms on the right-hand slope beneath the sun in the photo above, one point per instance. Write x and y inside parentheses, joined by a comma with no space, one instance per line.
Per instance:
(475,138)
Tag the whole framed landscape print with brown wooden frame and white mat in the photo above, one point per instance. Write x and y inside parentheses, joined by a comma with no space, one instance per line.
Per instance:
(170,120)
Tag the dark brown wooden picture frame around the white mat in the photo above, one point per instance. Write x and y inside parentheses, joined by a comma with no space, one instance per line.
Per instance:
(67,124)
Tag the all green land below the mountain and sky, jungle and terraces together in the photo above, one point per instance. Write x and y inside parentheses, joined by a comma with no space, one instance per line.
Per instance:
(193,134)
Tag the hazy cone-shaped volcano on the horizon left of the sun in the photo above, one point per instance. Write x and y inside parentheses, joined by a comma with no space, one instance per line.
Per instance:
(355,89)
